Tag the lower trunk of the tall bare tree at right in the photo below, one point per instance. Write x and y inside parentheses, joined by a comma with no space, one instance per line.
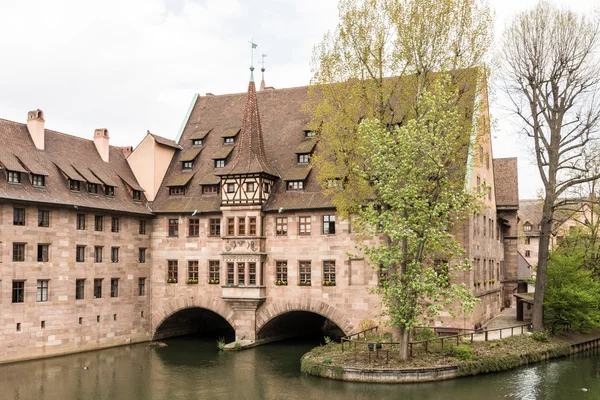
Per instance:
(537,318)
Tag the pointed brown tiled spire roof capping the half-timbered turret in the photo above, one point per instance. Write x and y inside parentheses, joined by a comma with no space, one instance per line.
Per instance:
(249,156)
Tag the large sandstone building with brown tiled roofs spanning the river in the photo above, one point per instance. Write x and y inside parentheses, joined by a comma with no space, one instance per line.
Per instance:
(226,227)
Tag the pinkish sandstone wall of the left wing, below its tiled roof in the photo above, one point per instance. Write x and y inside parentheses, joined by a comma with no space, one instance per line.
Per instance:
(70,325)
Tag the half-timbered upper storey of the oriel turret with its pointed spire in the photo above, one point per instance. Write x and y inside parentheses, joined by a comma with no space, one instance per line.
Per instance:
(248,177)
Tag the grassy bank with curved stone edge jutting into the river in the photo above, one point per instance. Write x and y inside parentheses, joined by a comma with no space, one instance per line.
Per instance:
(450,362)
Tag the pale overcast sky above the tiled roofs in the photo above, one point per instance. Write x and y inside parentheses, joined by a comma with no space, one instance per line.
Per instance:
(134,65)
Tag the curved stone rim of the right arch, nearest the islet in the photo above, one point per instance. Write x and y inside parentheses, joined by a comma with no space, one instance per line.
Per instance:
(270,311)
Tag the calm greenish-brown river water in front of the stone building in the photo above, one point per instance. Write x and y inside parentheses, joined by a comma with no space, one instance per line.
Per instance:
(192,368)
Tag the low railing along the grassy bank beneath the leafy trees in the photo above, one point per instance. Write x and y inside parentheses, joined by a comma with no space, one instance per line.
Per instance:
(377,346)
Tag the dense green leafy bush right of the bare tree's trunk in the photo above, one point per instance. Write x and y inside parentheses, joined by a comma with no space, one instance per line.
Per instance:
(572,292)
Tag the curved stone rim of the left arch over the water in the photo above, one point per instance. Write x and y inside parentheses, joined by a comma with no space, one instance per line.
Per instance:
(174,306)
